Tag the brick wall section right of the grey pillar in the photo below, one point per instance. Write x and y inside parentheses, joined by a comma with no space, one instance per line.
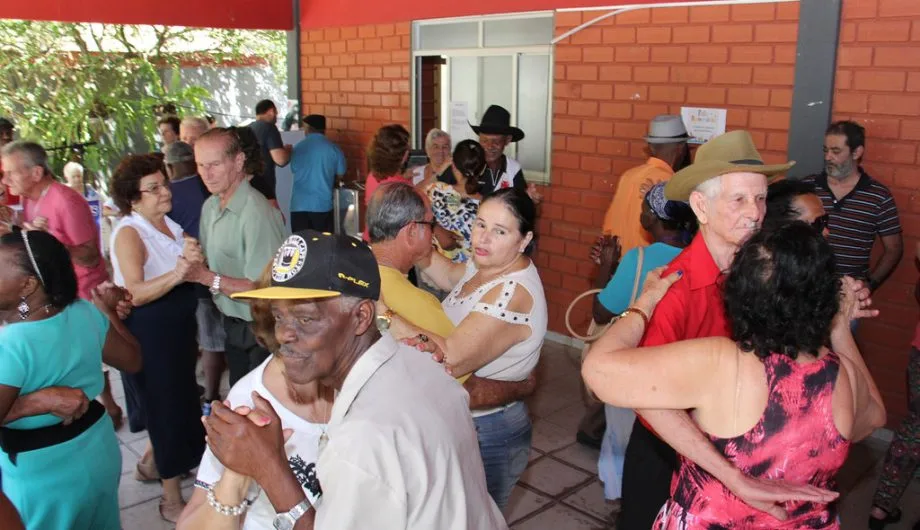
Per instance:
(878,84)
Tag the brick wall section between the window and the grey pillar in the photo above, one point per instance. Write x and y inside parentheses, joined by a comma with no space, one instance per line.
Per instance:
(611,78)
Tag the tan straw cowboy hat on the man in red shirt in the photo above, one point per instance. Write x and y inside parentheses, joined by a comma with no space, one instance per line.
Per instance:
(732,152)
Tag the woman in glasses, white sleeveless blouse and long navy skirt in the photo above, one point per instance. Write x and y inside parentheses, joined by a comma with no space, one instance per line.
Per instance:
(147,259)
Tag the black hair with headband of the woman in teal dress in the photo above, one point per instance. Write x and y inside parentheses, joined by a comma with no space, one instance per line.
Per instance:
(54,267)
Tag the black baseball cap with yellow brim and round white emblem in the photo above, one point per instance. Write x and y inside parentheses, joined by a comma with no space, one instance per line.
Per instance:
(313,264)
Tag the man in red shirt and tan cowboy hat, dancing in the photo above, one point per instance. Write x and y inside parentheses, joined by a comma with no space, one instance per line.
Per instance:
(727,188)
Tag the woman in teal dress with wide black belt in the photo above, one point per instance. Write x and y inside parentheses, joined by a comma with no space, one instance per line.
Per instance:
(60,464)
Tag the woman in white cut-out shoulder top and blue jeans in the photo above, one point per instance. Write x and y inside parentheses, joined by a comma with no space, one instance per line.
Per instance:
(496,301)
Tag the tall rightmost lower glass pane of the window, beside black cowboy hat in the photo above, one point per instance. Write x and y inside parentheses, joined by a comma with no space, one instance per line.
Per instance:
(533,105)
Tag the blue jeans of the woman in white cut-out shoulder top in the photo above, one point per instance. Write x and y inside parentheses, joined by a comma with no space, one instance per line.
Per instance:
(504,443)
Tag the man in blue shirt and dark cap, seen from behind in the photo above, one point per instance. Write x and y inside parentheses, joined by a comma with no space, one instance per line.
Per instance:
(317,164)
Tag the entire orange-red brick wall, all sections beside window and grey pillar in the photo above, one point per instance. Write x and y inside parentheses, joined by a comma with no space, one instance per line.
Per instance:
(613,77)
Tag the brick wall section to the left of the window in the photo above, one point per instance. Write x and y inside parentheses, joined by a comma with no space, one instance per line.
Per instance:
(358,77)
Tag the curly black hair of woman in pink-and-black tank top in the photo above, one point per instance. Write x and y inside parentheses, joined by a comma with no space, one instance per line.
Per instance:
(781,293)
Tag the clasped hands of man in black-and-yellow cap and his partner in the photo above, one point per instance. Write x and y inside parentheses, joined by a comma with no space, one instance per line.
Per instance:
(247,440)
